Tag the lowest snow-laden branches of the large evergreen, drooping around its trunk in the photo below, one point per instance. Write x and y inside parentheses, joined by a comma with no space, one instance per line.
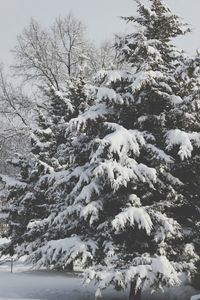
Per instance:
(150,271)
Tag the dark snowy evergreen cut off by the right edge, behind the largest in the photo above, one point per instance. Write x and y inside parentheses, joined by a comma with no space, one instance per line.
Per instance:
(187,118)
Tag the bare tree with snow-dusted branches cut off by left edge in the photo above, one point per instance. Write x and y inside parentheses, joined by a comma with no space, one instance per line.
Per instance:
(15,114)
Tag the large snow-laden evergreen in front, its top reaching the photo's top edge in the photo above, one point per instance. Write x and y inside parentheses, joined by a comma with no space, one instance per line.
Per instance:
(120,199)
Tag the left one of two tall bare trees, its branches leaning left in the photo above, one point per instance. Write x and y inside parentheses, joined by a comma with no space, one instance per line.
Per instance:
(34,56)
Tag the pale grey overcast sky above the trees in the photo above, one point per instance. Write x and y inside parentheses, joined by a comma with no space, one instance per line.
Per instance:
(100,17)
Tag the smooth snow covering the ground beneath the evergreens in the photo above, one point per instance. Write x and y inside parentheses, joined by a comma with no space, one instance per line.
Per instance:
(26,284)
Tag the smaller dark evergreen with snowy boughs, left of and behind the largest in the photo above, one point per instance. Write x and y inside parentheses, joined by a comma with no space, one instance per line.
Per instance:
(50,153)
